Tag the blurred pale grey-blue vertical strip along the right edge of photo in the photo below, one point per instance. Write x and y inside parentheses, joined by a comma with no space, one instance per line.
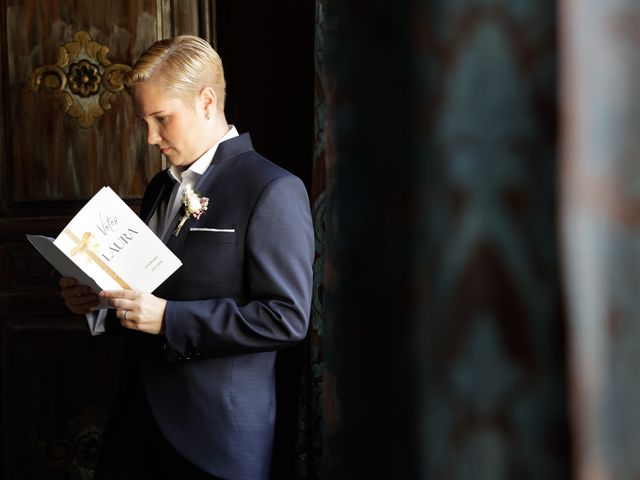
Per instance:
(600,92)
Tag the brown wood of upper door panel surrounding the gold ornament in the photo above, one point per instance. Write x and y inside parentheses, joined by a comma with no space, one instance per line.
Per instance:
(61,160)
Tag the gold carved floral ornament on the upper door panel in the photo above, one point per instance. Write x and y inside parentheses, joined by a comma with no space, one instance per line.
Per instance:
(83,78)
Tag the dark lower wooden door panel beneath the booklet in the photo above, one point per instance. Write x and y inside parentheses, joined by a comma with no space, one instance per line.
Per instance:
(64,380)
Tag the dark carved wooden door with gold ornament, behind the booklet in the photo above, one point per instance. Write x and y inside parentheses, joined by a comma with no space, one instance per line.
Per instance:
(66,129)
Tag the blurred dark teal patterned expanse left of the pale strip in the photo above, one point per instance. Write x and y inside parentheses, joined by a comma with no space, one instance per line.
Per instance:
(443,327)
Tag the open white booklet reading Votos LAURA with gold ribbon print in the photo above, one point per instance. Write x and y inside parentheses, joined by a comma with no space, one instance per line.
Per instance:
(106,246)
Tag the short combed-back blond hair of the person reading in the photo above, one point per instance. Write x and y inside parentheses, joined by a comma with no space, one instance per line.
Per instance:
(184,65)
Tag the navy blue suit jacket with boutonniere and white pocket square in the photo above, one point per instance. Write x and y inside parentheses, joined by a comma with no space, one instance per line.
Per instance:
(243,291)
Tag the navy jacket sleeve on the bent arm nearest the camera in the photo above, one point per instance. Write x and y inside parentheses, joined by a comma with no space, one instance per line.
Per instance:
(279,255)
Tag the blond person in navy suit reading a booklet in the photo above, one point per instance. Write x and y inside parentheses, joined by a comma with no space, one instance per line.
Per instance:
(197,394)
